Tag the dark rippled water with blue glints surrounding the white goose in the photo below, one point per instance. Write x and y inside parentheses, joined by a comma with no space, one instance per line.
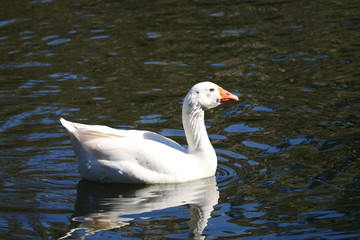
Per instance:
(288,151)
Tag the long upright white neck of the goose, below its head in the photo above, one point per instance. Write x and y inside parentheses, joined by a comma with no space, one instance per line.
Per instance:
(194,126)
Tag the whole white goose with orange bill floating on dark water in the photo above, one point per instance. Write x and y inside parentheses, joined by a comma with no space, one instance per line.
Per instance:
(132,156)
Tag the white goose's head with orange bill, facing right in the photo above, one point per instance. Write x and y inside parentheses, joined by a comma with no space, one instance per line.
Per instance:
(208,95)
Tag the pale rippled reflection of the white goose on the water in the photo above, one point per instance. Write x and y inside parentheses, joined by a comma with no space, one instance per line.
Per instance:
(111,206)
